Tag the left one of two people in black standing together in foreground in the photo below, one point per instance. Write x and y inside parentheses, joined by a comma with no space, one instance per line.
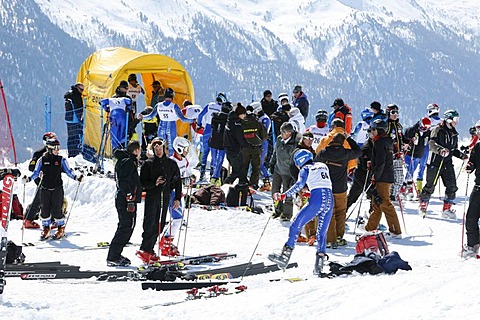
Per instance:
(129,193)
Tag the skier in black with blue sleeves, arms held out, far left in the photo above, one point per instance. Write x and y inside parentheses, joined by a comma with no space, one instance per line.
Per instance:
(50,166)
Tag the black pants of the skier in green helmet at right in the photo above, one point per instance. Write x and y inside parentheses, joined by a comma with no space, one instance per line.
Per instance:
(447,173)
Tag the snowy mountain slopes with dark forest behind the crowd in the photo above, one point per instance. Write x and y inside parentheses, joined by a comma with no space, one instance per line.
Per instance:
(406,52)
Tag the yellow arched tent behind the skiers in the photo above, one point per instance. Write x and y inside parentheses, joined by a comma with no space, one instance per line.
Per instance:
(102,72)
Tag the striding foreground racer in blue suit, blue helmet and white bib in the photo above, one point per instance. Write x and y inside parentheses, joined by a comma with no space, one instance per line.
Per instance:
(316,176)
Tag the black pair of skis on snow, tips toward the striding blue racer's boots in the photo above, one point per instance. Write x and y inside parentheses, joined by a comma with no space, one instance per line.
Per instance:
(227,273)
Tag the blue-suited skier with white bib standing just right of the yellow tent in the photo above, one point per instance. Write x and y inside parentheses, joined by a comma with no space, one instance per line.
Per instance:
(205,120)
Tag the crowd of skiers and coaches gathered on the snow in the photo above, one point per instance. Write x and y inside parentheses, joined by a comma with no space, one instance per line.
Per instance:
(269,149)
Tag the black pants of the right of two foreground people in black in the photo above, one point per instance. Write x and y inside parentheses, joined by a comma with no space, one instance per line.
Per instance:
(155,216)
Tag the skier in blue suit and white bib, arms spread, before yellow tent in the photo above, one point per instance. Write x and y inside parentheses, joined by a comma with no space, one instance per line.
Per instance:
(168,112)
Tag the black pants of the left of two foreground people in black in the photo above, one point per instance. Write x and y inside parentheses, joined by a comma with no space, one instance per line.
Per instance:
(126,224)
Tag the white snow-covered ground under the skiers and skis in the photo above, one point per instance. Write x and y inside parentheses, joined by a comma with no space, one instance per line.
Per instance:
(441,285)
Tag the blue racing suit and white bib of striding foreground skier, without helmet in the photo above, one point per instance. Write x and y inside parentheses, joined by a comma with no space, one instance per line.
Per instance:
(316,177)
